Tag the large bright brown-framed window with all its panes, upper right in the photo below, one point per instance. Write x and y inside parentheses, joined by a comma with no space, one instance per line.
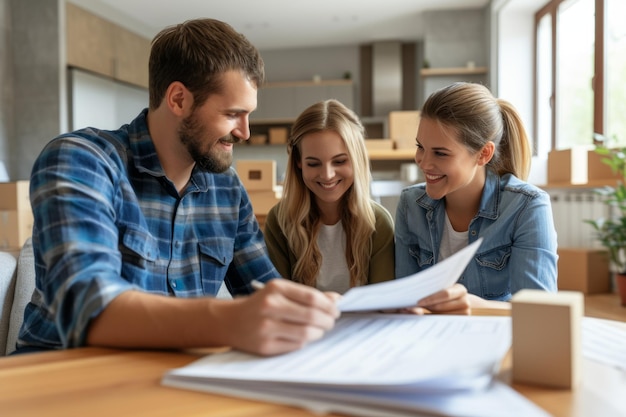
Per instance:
(580,68)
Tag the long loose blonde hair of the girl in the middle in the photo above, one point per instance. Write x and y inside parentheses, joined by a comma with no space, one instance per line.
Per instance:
(298,214)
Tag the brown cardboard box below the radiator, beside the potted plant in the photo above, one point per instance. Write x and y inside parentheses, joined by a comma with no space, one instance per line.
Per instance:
(584,269)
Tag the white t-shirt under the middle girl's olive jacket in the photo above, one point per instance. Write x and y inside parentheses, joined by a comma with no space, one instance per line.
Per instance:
(334,274)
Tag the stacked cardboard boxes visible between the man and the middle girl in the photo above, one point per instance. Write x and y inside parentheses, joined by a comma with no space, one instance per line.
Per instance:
(259,179)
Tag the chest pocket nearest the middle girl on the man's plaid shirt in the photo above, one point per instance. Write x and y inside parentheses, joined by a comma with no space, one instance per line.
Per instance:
(216,255)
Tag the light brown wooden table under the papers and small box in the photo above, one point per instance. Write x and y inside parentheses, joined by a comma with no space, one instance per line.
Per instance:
(108,382)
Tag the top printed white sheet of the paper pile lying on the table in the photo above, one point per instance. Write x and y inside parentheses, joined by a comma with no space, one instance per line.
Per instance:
(383,351)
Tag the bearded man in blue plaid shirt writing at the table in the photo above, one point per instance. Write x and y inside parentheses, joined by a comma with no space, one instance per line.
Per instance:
(136,229)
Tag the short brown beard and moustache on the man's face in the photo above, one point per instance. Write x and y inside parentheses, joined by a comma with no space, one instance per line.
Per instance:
(191,132)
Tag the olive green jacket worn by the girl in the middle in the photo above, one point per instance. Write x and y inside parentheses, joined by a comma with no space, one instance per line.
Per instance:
(381,261)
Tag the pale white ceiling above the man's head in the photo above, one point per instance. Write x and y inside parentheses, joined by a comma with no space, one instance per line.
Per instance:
(281,24)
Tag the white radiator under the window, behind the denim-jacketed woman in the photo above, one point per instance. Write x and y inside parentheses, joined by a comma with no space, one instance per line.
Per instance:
(570,208)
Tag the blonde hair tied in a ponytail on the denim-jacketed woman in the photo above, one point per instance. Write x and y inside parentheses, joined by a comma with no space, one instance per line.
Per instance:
(478,117)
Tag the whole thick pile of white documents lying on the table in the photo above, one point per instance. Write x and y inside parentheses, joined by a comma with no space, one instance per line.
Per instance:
(374,365)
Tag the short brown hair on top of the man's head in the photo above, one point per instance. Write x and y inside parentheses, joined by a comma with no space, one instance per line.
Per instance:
(196,53)
